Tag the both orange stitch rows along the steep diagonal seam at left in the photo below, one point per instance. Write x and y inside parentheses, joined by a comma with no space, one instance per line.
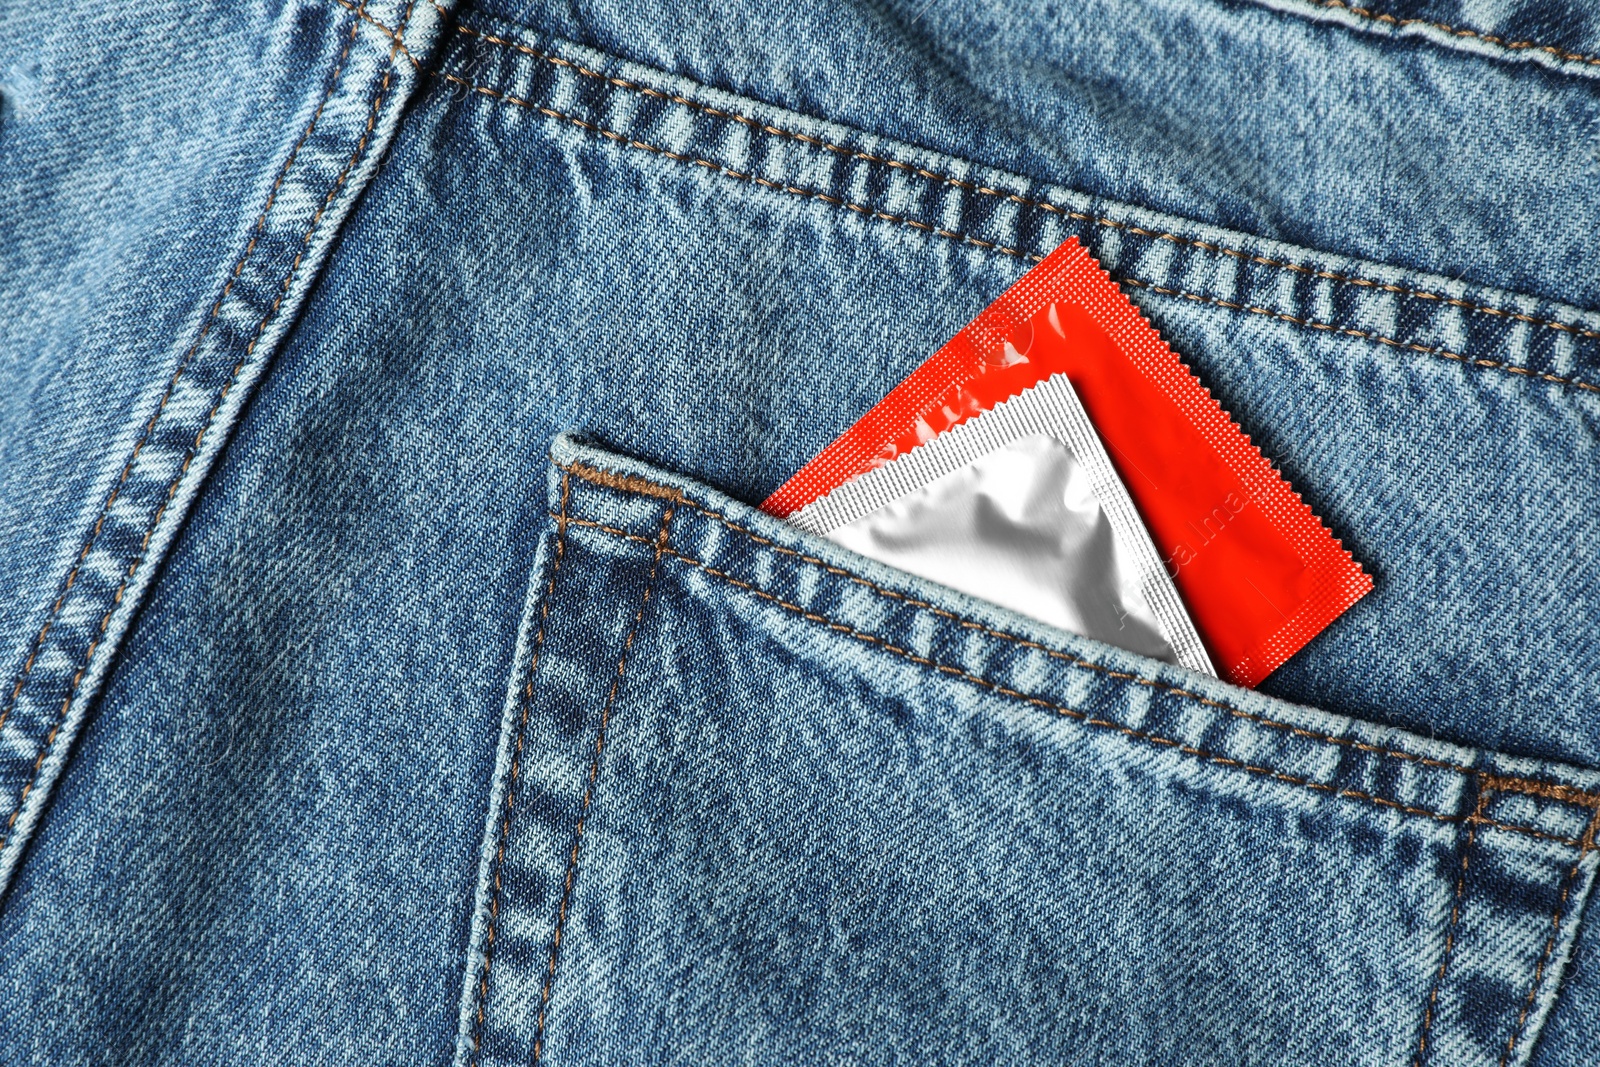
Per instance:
(194,446)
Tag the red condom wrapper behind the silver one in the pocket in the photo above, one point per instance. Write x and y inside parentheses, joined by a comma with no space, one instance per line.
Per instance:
(1257,569)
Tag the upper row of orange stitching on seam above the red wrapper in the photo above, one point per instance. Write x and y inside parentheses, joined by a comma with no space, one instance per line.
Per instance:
(1042,206)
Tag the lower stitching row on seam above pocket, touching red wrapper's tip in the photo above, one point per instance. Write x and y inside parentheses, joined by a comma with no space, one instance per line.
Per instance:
(967,239)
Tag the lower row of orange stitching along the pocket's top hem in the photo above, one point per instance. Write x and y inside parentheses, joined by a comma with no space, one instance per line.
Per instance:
(1103,724)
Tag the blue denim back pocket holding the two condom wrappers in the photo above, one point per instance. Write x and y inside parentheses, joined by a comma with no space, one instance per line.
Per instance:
(764,801)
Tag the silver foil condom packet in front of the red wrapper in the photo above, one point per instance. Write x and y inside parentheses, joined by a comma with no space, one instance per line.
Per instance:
(1023,508)
